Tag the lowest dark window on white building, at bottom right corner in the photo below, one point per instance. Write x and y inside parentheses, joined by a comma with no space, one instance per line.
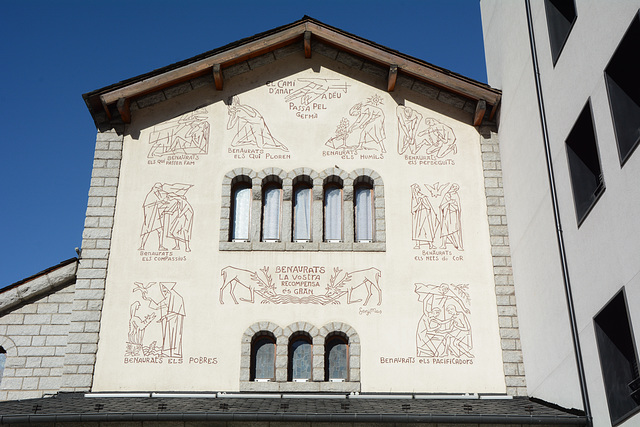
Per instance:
(618,359)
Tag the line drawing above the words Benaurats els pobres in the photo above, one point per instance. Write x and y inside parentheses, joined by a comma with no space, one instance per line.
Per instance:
(156,320)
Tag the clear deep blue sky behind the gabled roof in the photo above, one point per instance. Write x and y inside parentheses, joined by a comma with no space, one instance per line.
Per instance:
(54,51)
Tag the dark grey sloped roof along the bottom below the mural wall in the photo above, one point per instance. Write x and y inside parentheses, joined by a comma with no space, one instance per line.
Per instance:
(82,408)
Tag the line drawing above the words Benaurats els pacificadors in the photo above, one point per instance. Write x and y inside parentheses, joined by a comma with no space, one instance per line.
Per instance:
(444,329)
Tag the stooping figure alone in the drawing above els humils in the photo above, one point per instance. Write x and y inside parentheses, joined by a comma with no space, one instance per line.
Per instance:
(369,118)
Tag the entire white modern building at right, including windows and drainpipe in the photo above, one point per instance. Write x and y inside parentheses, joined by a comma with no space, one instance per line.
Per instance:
(569,124)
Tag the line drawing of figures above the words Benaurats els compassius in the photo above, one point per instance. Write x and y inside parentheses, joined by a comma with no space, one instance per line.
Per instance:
(168,213)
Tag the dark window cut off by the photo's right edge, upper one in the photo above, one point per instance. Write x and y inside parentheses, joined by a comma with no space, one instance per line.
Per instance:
(621,76)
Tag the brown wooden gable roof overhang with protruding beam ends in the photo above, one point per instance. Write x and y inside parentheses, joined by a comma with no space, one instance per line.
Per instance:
(112,103)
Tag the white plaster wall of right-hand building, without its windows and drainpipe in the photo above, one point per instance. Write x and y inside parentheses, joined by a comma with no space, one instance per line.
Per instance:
(602,252)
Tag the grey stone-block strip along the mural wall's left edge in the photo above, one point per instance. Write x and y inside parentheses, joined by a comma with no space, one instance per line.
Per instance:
(82,344)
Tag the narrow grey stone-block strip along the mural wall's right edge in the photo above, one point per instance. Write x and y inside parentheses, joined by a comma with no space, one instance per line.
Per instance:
(502,271)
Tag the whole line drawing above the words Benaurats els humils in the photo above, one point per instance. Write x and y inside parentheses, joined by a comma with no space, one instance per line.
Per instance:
(367,130)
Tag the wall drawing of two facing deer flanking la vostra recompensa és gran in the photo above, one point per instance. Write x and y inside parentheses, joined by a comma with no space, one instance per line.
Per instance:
(353,287)
